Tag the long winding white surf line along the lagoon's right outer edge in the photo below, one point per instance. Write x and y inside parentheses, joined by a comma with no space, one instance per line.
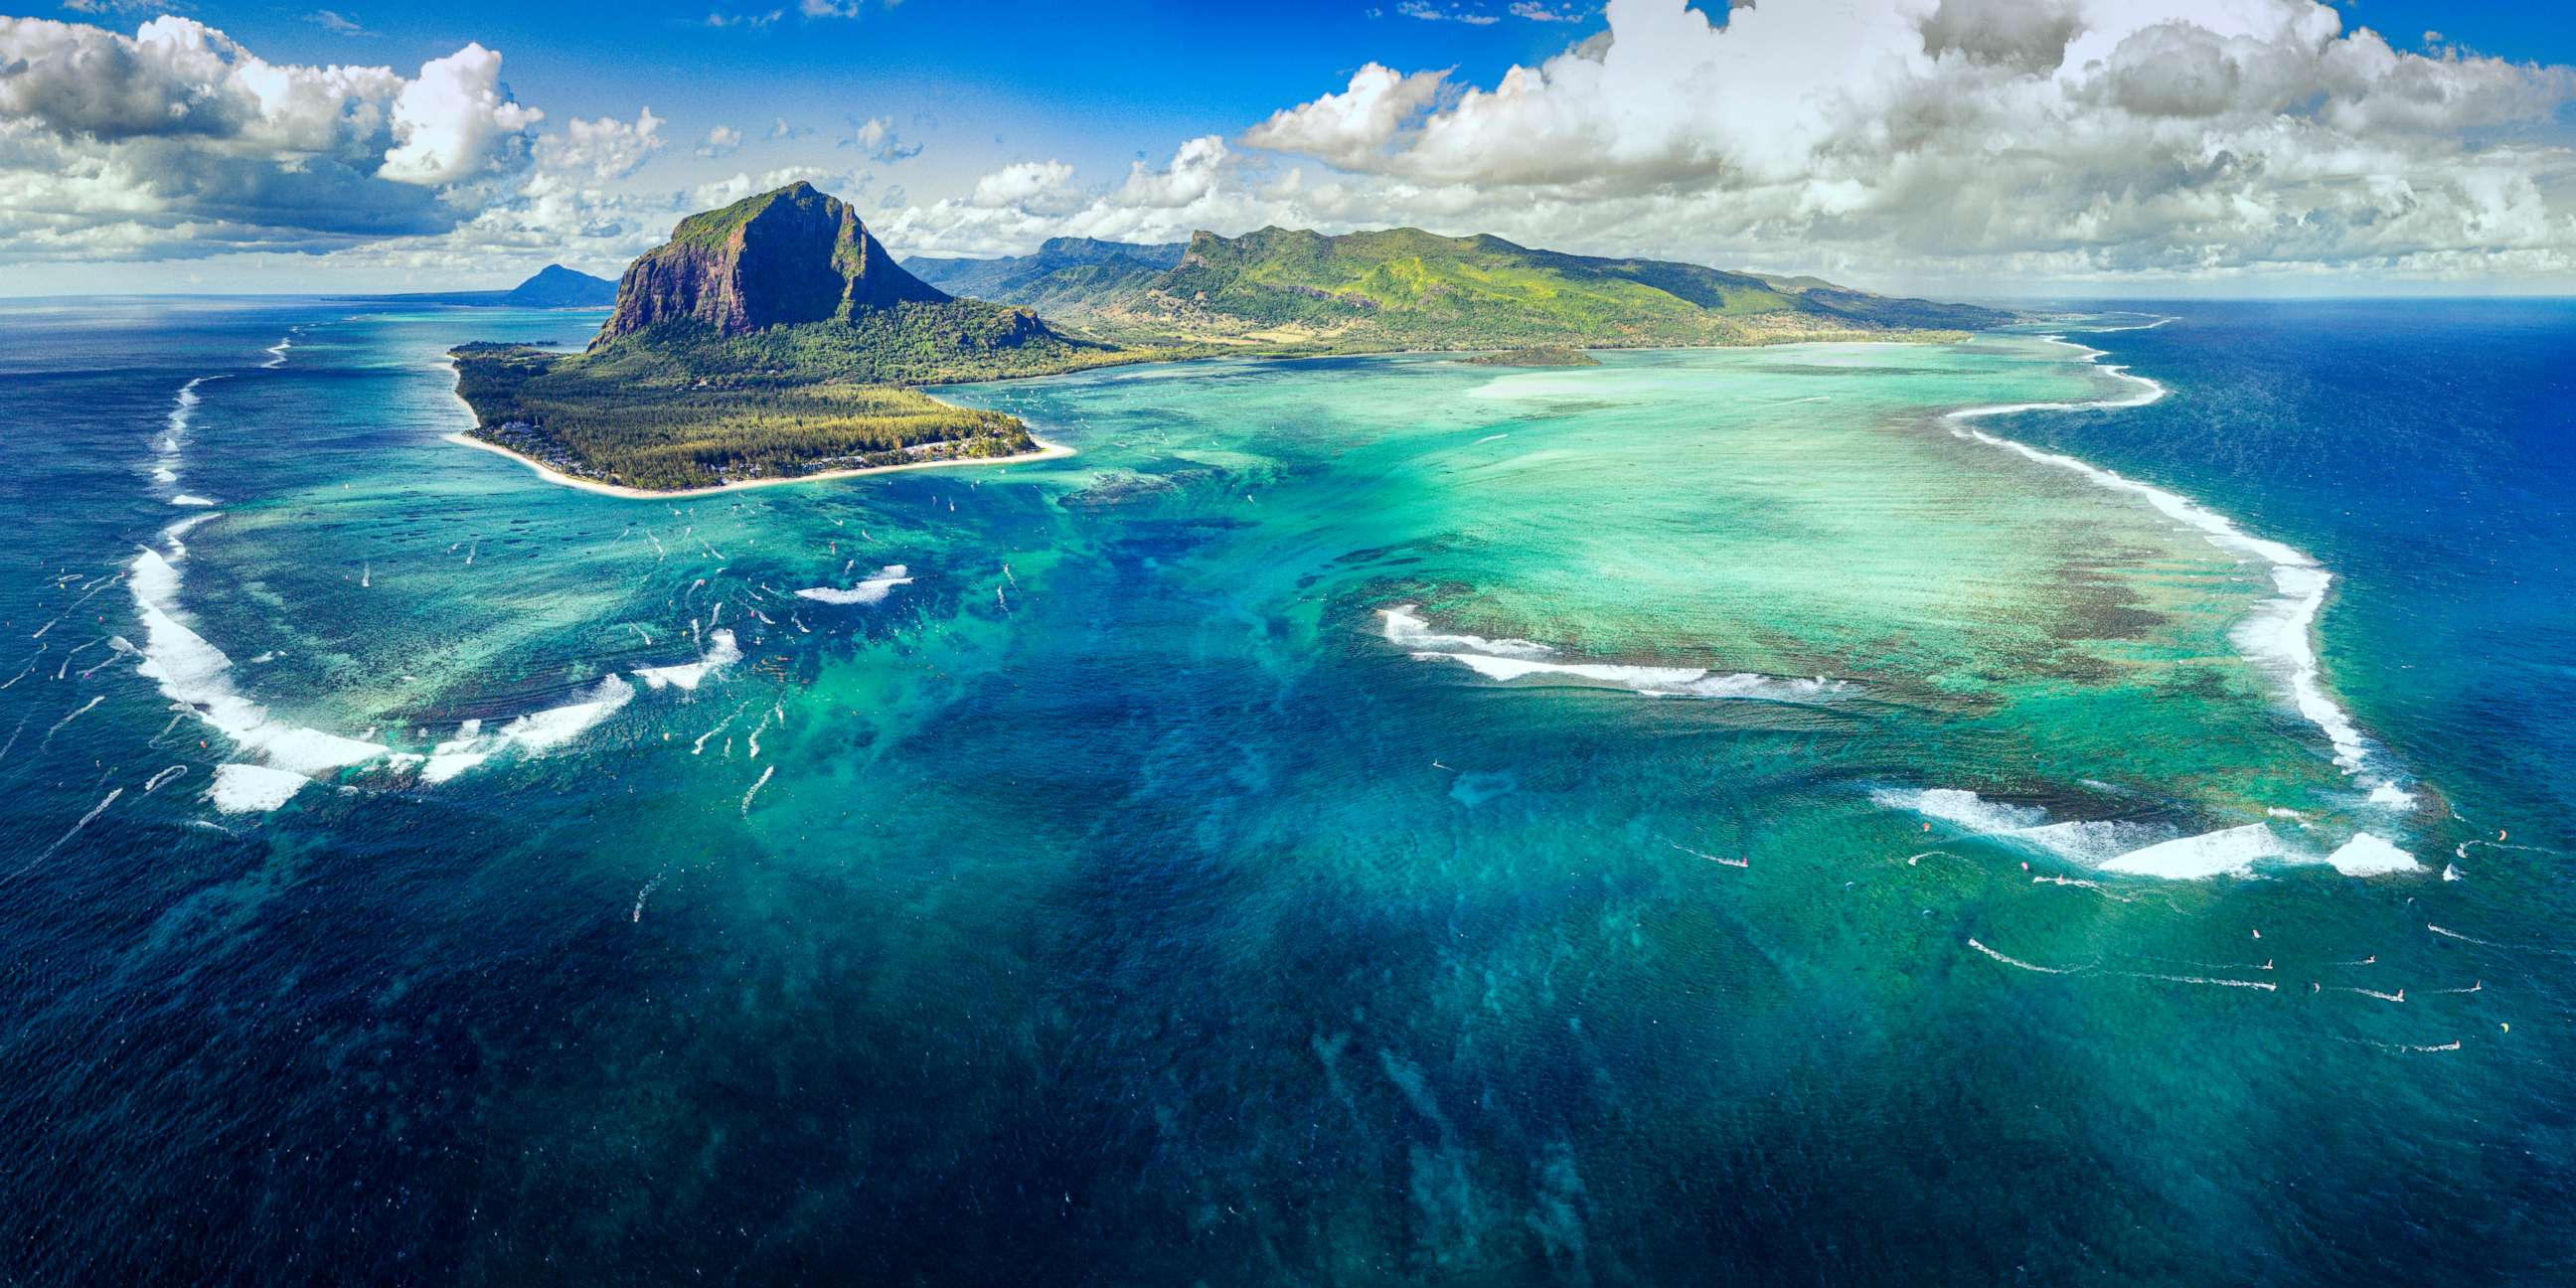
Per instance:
(2281,630)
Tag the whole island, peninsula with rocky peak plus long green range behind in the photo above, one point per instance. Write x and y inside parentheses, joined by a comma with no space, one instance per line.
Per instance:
(777,341)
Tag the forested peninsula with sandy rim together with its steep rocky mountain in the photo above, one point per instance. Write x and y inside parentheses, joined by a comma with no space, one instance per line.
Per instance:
(764,341)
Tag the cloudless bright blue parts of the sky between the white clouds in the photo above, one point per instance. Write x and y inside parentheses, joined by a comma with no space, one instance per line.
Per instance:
(1016,81)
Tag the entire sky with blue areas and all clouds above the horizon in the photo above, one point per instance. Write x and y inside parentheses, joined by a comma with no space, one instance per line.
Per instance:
(1998,146)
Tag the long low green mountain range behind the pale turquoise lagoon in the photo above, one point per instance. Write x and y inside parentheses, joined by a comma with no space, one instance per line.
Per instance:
(1418,290)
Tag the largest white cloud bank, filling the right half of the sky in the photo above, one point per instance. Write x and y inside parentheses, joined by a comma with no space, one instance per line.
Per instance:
(1982,138)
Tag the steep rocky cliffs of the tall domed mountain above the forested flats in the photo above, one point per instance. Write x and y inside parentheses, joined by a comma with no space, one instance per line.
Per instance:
(774,259)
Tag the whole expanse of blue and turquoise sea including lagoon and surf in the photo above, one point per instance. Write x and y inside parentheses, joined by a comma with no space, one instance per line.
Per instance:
(2078,805)
